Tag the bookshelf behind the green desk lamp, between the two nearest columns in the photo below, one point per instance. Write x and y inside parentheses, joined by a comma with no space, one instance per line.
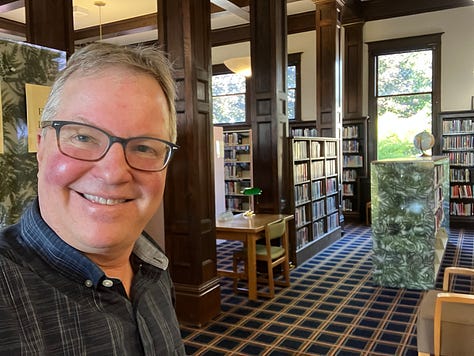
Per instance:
(238,173)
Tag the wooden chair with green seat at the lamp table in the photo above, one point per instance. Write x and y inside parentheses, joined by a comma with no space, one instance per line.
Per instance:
(274,253)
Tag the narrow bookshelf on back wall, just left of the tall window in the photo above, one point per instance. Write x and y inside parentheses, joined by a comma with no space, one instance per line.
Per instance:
(354,166)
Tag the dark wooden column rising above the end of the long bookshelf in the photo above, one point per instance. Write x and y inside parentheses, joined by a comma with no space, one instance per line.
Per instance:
(328,66)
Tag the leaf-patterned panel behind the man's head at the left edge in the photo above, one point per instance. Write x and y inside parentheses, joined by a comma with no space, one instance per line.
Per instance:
(20,63)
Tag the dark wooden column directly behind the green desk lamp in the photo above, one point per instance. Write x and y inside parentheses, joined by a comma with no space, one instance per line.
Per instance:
(268,103)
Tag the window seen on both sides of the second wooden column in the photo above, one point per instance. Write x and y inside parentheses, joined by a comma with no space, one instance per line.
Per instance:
(229,94)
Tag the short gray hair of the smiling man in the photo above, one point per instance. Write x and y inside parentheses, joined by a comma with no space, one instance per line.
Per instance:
(96,57)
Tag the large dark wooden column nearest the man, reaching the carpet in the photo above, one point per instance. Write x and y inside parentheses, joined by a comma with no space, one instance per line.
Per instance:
(184,31)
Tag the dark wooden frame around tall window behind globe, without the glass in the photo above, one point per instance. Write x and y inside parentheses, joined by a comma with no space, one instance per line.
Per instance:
(392,46)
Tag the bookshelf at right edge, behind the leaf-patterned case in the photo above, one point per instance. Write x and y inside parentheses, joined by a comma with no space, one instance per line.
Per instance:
(457,142)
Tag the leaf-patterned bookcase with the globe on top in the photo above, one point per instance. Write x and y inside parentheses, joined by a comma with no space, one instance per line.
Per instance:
(409,220)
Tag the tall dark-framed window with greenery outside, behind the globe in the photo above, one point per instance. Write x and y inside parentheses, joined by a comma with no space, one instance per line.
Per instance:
(404,86)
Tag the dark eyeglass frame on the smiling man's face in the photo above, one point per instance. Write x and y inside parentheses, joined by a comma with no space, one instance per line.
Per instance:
(57,125)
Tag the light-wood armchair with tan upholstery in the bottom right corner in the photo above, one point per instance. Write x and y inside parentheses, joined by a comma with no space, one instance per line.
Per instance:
(445,324)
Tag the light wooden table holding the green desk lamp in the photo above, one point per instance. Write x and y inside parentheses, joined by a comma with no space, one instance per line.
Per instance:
(248,230)
